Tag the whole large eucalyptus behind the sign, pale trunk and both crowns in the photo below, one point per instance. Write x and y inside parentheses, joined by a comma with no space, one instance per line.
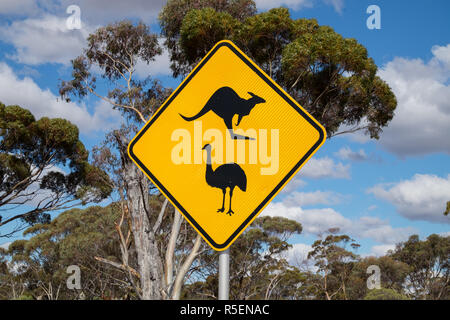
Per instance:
(332,77)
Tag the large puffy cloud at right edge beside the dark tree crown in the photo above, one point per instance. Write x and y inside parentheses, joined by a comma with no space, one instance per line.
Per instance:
(422,119)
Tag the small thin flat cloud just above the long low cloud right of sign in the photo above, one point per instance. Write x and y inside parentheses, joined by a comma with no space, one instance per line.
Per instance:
(312,198)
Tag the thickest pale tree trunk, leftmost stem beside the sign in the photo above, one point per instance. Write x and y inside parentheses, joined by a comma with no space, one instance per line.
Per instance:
(150,266)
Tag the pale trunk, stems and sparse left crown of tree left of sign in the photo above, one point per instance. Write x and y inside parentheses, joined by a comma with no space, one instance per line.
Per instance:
(107,70)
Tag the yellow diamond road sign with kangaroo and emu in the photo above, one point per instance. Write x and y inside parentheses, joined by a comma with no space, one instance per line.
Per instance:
(224,144)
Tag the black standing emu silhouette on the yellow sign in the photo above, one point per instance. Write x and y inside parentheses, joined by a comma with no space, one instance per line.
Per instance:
(228,175)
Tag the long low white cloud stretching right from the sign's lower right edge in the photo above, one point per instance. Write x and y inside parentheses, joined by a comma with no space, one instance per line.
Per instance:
(318,221)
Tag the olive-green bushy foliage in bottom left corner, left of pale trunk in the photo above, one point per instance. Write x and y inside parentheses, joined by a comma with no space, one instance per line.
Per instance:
(75,237)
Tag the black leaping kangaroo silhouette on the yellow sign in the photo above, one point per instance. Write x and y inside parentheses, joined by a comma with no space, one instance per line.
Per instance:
(226,103)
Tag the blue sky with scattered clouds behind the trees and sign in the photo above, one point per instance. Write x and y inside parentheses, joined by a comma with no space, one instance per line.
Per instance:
(379,192)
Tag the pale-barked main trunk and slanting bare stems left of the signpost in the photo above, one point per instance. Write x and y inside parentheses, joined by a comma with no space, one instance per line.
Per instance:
(156,282)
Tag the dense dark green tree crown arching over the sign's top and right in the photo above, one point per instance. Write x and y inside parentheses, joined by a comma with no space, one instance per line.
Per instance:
(331,76)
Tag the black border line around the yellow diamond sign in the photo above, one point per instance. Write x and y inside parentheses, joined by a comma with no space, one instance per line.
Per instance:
(270,82)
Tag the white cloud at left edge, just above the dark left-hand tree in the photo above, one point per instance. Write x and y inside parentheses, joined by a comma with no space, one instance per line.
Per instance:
(27,94)
